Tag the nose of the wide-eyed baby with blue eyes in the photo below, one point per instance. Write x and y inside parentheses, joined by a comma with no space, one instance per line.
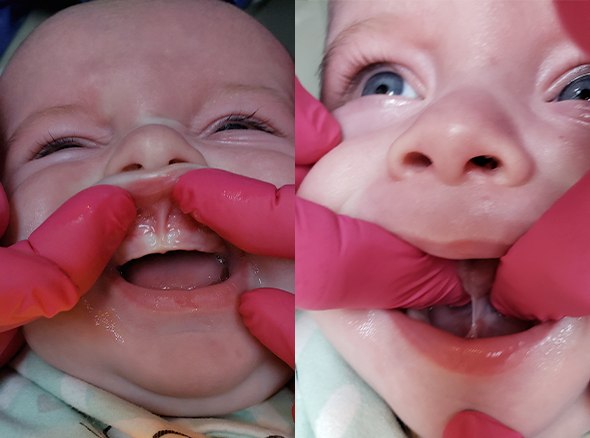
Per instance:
(463,134)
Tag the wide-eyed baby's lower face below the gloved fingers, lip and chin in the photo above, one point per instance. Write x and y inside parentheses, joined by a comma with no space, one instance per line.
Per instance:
(428,382)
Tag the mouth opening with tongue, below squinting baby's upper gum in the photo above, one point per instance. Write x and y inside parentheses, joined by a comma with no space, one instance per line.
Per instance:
(177,270)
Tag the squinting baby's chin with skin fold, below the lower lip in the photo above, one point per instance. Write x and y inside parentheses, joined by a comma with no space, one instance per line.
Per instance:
(169,369)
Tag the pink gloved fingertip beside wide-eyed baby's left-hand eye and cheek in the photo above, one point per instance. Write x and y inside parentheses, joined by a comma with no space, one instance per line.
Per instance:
(317,132)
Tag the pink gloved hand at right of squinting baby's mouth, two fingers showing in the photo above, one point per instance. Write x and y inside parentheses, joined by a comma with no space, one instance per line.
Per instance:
(259,219)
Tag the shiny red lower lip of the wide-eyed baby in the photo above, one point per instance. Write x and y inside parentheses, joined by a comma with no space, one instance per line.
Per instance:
(486,356)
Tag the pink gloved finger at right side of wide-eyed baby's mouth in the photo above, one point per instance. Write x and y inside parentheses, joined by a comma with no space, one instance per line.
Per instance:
(544,276)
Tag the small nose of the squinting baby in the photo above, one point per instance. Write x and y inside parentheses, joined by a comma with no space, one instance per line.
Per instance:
(151,147)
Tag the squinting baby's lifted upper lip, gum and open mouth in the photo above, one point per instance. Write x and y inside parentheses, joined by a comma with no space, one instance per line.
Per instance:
(167,250)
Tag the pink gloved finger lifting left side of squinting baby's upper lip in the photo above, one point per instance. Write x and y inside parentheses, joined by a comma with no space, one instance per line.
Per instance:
(82,235)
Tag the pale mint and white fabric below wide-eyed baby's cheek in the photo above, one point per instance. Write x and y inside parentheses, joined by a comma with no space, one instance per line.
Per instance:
(331,400)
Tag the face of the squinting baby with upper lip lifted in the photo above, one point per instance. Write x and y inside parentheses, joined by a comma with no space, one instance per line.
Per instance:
(135,93)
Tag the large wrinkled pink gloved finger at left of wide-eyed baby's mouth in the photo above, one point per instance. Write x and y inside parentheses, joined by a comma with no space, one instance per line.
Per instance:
(342,262)
